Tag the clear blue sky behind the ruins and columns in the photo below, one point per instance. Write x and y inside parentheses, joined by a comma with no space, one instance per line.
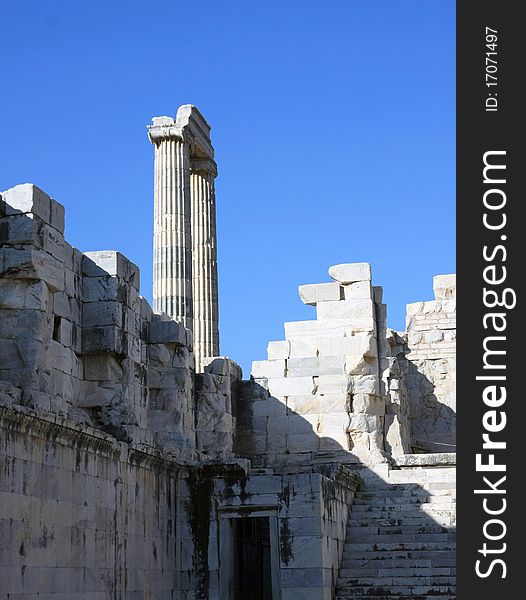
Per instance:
(333,124)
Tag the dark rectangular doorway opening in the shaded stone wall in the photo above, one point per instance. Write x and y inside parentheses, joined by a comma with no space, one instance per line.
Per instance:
(252,570)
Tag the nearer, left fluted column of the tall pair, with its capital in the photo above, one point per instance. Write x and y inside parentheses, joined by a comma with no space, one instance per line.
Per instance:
(172,277)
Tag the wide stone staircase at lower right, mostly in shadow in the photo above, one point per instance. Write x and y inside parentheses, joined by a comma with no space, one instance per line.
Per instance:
(400,538)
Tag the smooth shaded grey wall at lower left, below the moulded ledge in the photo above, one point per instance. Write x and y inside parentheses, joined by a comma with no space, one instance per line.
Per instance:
(83,516)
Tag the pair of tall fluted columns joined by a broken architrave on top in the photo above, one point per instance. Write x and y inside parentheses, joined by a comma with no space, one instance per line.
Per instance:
(185,247)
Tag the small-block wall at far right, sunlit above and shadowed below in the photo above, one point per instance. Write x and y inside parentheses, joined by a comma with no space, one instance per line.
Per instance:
(430,368)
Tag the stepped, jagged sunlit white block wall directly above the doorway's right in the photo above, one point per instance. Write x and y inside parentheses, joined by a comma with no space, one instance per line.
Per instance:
(333,385)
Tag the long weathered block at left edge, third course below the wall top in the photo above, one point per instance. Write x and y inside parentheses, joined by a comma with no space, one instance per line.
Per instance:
(30,263)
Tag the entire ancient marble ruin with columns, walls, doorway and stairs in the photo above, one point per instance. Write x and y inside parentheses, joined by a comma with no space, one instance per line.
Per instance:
(138,464)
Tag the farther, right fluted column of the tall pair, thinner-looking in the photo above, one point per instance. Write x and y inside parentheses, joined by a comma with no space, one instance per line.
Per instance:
(204,265)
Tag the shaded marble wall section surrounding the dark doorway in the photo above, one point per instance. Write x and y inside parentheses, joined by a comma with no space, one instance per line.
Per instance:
(308,515)
